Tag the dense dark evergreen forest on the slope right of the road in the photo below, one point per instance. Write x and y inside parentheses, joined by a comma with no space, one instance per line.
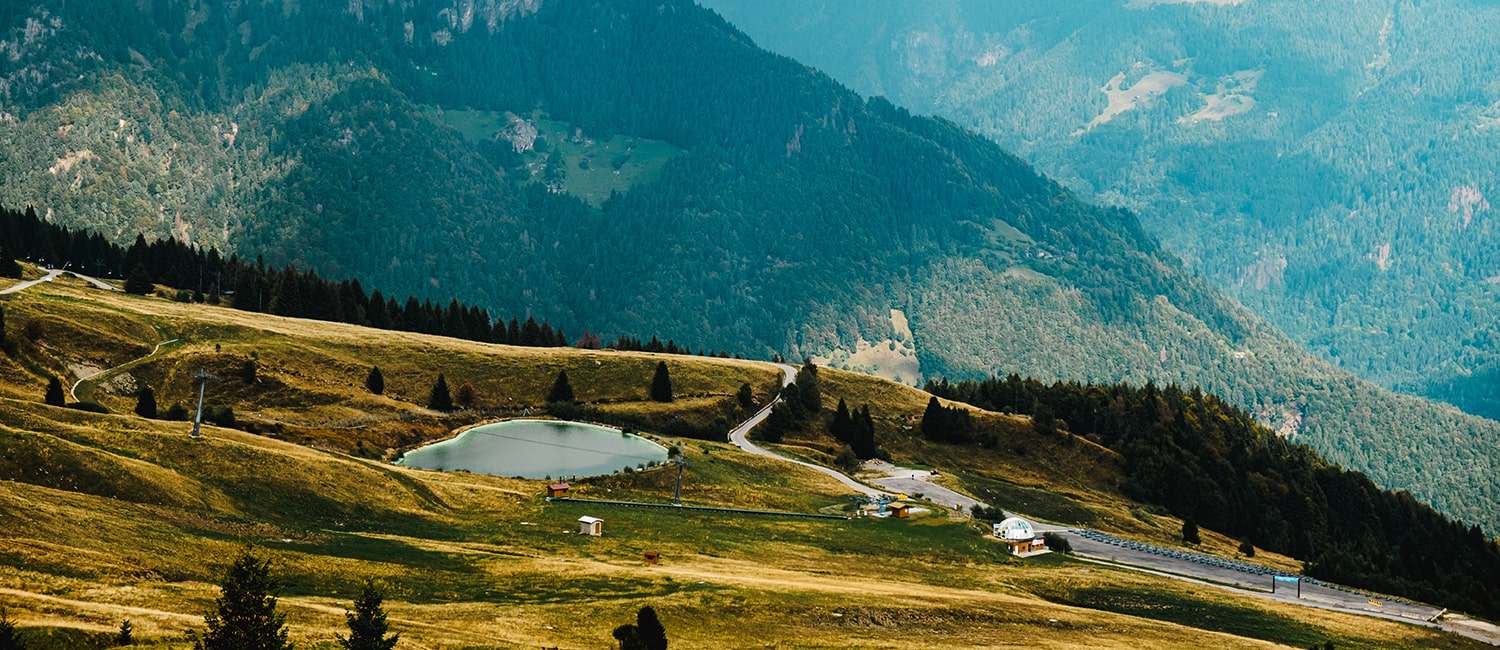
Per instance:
(1214,466)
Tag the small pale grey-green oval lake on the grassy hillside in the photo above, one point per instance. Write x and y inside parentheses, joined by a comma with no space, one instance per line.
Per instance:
(538,450)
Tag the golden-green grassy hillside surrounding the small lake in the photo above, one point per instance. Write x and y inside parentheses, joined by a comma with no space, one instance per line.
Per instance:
(112,517)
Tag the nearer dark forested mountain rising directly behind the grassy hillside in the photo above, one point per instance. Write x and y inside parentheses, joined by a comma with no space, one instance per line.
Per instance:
(643,167)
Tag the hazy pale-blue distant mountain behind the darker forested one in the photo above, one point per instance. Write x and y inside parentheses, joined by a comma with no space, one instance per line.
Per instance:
(1328,164)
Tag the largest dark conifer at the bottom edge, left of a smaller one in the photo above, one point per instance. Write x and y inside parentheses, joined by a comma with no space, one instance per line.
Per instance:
(245,616)
